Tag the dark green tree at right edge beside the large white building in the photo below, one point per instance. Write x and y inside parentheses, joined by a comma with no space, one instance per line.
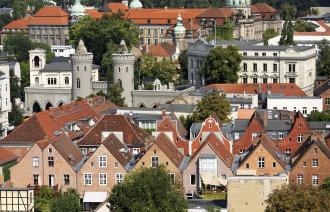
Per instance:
(323,60)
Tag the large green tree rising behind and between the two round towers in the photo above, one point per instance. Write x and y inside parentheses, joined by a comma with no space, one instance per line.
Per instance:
(103,35)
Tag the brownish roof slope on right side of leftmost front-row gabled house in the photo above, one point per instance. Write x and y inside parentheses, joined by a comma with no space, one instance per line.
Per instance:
(68,149)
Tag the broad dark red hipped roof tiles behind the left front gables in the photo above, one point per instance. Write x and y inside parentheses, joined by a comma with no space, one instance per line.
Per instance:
(132,134)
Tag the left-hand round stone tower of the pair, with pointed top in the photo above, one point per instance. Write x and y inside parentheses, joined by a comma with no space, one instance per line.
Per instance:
(82,62)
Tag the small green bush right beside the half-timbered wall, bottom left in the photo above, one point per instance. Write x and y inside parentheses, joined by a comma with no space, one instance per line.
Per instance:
(44,199)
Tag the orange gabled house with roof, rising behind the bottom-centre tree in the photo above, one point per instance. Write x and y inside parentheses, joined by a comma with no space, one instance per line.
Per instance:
(163,152)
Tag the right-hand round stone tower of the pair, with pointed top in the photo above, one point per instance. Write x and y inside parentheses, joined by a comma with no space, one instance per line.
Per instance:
(123,72)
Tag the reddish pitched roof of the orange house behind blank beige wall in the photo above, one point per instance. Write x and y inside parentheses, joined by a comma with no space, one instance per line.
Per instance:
(269,145)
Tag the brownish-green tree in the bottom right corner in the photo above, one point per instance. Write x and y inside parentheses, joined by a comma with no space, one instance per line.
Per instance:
(299,197)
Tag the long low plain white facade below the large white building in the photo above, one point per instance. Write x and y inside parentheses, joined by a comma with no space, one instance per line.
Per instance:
(305,105)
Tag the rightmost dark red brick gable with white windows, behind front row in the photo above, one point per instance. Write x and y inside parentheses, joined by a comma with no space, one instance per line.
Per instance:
(298,133)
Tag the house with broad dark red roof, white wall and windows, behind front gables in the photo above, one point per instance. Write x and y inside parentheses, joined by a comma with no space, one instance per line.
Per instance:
(125,129)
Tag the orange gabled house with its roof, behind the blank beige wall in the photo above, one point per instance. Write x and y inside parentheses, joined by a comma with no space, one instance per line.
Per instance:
(262,158)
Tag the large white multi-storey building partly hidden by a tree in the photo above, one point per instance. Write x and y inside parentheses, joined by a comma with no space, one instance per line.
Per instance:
(261,64)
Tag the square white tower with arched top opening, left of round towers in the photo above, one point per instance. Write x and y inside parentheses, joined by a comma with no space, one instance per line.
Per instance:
(37,62)
